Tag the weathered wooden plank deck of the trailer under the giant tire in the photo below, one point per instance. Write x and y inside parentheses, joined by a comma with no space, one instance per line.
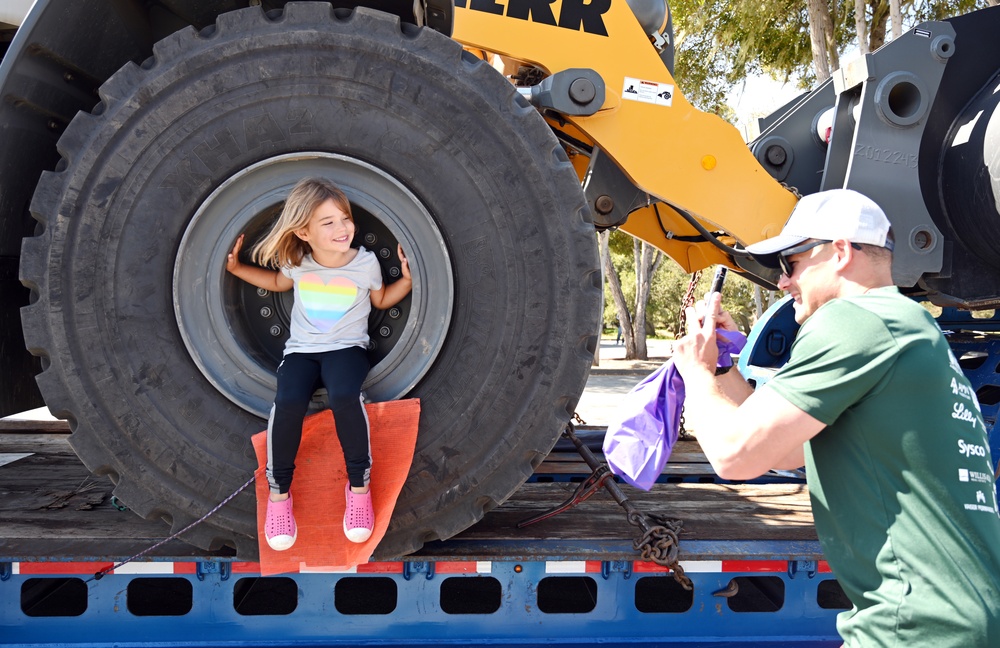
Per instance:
(51,508)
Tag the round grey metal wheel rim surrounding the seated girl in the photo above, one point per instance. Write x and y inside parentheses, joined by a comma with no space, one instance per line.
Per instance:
(235,333)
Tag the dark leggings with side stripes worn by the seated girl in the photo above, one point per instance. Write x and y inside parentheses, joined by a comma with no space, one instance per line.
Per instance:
(299,375)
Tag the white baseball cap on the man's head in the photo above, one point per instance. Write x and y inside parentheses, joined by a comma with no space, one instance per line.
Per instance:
(834,215)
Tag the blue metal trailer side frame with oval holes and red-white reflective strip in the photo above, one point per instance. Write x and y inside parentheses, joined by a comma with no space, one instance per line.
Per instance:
(220,603)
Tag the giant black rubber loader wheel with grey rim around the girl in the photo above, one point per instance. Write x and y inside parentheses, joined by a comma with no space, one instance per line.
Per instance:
(164,364)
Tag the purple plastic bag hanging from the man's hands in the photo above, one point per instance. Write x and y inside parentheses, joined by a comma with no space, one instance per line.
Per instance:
(645,427)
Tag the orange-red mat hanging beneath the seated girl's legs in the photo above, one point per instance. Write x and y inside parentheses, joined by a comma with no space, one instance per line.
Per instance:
(318,488)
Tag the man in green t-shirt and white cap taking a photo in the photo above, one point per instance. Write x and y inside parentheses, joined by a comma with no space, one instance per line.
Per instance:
(874,404)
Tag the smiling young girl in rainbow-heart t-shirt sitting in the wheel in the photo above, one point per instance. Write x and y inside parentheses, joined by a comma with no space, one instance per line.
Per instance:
(335,287)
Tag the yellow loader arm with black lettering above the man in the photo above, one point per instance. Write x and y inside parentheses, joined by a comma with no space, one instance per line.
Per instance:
(691,160)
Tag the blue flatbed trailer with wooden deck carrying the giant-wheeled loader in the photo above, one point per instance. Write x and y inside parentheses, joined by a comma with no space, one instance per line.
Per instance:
(749,550)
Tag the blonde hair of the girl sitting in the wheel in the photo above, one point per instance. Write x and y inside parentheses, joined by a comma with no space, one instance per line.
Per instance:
(281,247)
